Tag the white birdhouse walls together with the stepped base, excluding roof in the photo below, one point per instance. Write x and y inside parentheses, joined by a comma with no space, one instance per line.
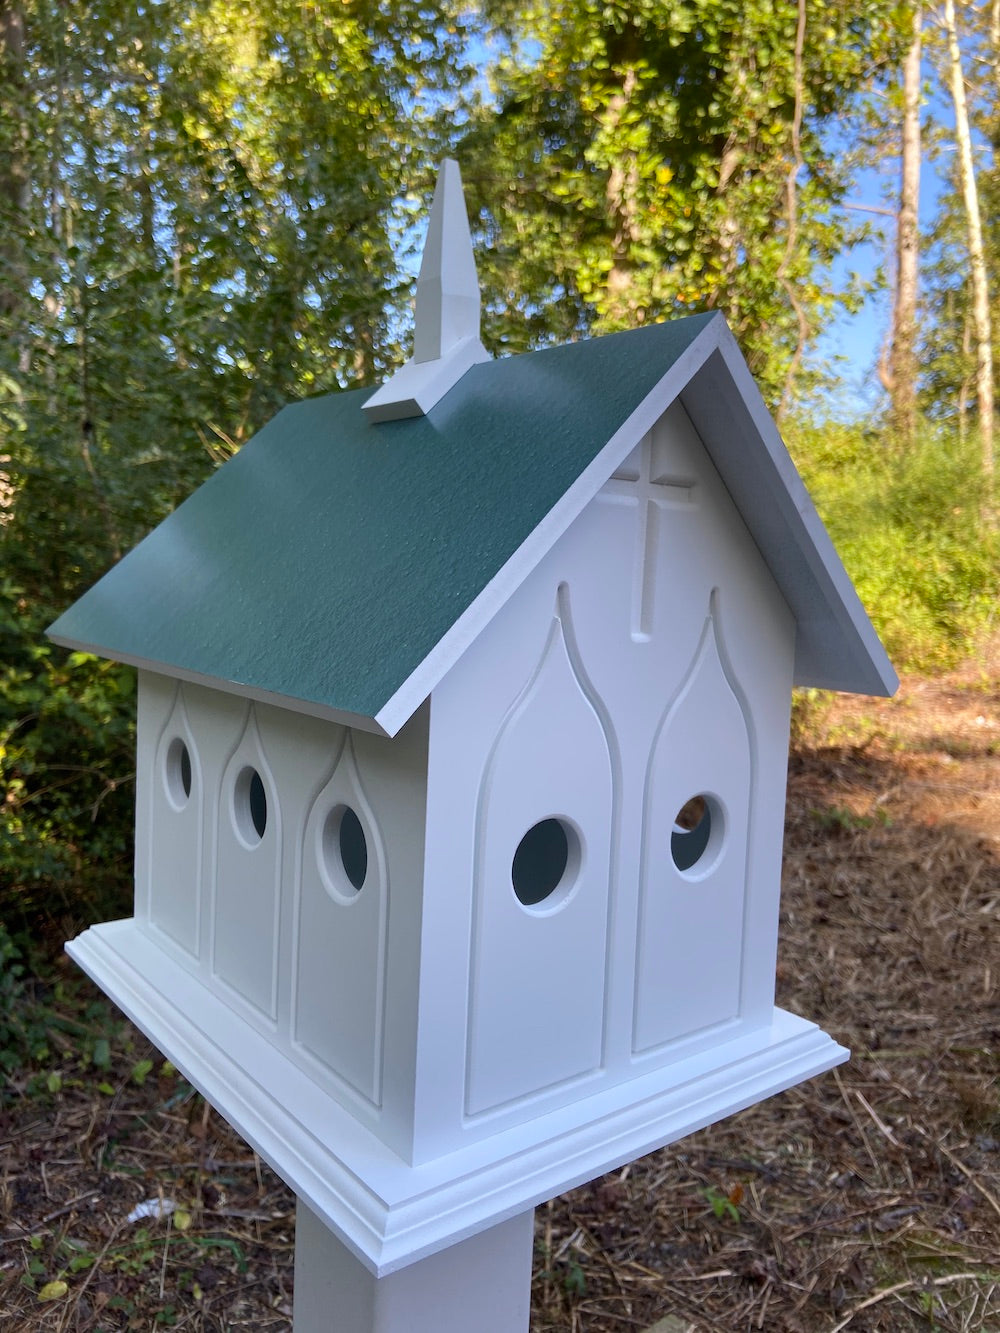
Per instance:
(427,1055)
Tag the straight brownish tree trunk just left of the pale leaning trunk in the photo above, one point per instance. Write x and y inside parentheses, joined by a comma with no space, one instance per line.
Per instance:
(903,362)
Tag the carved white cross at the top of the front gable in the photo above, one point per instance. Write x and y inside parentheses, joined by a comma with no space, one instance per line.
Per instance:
(647,482)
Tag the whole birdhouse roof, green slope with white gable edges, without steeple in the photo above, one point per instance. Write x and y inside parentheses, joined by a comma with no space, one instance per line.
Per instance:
(342,566)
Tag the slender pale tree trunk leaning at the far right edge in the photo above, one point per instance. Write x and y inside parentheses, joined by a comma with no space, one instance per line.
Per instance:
(978,265)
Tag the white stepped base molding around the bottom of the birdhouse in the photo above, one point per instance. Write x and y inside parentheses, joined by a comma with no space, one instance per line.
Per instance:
(386,1212)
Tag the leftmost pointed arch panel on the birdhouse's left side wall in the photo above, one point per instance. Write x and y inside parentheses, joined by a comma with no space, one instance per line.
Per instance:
(178,830)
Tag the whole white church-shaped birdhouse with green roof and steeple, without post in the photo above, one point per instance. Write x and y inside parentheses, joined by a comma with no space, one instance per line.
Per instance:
(463,731)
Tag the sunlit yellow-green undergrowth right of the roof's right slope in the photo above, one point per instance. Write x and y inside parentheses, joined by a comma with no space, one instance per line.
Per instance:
(909,529)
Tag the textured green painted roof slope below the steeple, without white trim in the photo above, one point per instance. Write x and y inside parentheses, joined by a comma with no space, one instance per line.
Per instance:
(329,558)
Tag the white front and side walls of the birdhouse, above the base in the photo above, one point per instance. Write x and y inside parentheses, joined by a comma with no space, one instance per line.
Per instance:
(646,662)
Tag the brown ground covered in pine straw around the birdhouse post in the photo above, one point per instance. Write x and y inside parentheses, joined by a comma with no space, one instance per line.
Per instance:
(866,1200)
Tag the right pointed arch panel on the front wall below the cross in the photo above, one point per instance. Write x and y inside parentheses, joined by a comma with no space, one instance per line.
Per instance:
(691,922)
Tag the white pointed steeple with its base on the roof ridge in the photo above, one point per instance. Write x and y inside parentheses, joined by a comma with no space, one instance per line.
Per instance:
(446,317)
